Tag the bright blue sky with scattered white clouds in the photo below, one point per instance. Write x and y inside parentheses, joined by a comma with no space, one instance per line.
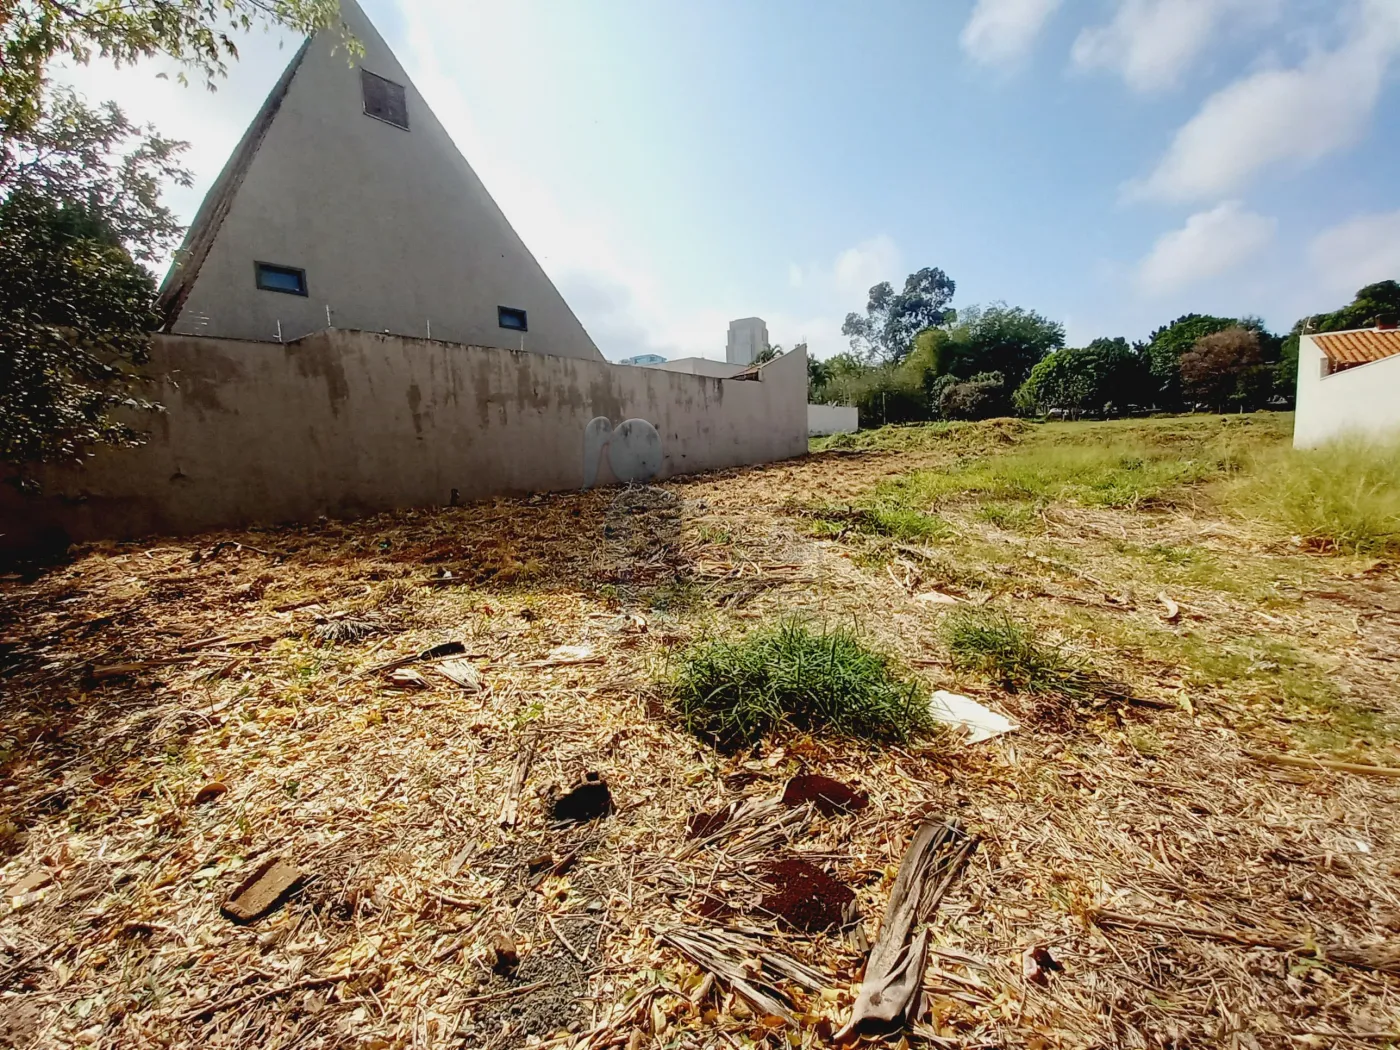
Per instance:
(1109,163)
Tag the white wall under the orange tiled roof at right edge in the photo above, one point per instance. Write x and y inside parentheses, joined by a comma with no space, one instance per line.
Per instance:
(1363,401)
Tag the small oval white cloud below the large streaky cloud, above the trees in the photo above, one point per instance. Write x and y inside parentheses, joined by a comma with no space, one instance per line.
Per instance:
(1210,244)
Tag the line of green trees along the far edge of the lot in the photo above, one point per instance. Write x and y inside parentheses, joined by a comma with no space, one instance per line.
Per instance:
(913,358)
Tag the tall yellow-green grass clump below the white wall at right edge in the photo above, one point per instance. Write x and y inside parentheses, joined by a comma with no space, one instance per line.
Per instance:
(1343,498)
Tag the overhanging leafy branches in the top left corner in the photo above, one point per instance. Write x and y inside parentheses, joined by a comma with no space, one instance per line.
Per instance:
(197,33)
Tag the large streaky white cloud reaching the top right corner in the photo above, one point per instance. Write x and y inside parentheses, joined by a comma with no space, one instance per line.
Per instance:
(1282,115)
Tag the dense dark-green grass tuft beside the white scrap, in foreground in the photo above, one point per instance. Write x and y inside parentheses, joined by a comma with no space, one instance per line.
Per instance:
(790,677)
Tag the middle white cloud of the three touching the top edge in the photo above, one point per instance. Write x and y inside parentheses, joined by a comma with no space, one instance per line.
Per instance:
(1151,43)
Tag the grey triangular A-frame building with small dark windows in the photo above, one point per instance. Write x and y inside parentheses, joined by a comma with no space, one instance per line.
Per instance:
(348,199)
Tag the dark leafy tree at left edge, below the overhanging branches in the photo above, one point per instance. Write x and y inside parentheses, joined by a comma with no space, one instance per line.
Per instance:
(79,199)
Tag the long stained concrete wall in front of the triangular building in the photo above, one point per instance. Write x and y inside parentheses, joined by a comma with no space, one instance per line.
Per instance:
(349,423)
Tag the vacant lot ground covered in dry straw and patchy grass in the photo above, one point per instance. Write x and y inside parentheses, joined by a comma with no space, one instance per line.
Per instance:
(1158,604)
